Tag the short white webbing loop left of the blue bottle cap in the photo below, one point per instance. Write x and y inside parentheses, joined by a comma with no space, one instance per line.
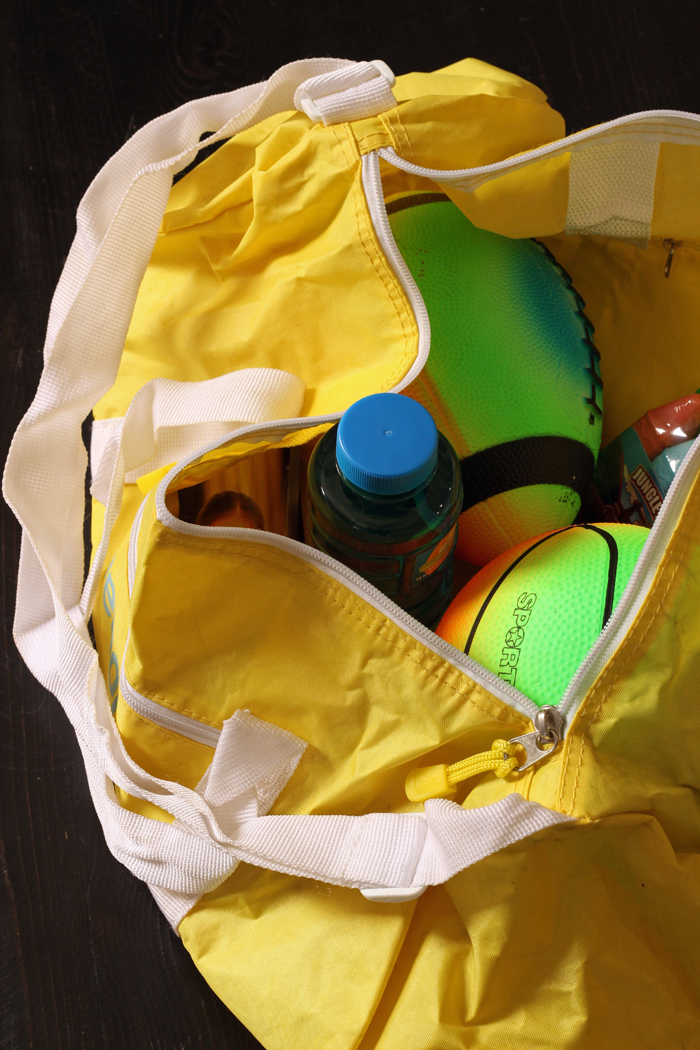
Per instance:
(167,421)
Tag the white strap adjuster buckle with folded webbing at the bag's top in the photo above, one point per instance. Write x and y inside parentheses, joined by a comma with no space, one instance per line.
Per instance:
(364,90)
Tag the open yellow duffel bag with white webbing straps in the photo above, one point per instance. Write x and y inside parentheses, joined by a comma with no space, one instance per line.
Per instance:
(253,708)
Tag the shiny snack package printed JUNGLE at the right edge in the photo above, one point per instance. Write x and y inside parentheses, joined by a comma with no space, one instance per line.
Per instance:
(635,471)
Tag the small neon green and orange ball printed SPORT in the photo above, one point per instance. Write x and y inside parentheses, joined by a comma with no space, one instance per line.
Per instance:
(533,615)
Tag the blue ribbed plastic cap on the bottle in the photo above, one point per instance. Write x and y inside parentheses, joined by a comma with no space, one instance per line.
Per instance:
(388,445)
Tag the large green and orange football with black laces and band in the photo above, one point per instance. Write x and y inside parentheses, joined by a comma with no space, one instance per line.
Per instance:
(513,379)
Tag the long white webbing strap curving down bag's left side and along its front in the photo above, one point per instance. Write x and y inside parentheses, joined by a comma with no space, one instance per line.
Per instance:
(44,482)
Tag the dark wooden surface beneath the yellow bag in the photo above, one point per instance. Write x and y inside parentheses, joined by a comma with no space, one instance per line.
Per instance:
(86,958)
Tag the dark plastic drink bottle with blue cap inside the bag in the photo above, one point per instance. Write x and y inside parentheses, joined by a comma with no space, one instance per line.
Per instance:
(385,497)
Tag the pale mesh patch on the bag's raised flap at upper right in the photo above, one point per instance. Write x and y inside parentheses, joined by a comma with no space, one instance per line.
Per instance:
(611,191)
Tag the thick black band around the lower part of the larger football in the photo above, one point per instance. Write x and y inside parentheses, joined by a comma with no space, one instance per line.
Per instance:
(545,460)
